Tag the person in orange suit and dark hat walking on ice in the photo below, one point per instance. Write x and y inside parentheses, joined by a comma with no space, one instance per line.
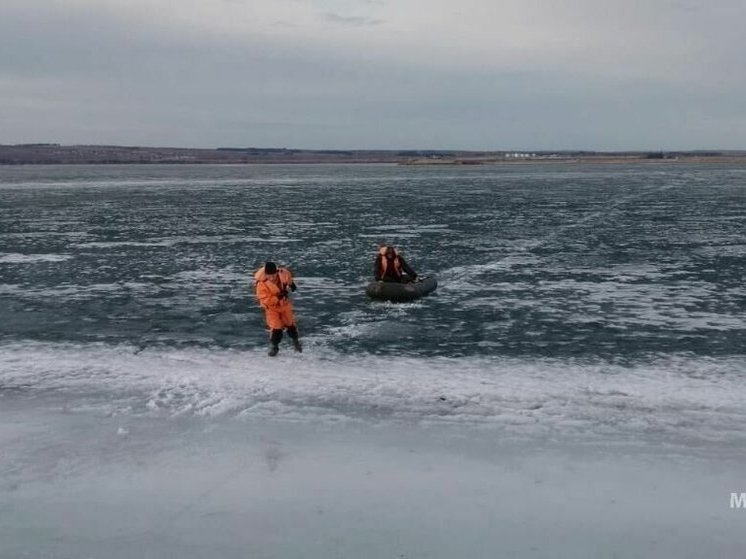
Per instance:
(272,285)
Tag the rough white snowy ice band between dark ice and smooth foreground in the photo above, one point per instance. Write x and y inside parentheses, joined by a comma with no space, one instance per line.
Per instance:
(674,398)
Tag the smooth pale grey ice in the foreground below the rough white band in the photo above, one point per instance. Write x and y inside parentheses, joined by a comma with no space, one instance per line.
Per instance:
(82,485)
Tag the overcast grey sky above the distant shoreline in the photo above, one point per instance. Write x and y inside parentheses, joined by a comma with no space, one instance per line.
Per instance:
(390,74)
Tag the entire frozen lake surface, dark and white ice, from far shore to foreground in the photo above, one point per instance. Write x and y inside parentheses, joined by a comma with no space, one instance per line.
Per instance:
(573,389)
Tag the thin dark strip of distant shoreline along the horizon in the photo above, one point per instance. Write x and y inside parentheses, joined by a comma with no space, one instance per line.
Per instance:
(56,154)
